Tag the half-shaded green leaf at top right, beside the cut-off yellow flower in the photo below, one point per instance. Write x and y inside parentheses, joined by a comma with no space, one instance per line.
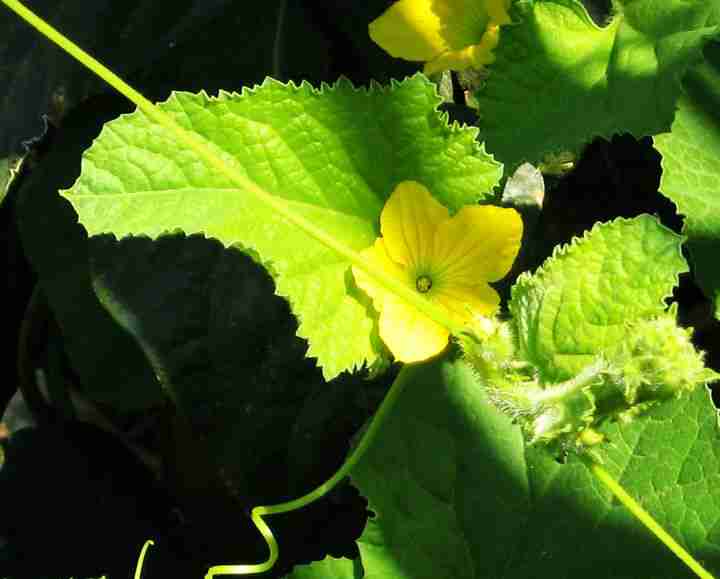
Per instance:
(559,80)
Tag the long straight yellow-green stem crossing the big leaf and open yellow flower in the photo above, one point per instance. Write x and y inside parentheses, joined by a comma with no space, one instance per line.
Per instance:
(200,148)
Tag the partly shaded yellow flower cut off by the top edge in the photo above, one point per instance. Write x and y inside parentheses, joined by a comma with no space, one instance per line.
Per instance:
(445,34)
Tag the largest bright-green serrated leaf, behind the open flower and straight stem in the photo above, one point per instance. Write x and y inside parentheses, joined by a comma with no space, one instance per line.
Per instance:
(334,155)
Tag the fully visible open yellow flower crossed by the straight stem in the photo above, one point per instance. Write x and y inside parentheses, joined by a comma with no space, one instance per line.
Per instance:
(448,260)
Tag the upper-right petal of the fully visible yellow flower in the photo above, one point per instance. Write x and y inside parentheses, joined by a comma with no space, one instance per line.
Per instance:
(478,244)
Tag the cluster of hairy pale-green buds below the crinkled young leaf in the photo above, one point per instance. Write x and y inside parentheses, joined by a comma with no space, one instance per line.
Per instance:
(655,362)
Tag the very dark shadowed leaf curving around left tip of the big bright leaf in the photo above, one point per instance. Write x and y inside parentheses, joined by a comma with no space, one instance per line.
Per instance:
(60,257)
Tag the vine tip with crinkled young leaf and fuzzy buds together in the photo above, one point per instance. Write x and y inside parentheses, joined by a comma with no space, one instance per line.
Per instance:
(599,344)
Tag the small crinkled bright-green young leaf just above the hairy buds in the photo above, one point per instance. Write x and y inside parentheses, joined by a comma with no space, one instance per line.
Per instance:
(579,302)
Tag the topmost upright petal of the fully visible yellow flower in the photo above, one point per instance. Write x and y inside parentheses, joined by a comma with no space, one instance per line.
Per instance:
(408,223)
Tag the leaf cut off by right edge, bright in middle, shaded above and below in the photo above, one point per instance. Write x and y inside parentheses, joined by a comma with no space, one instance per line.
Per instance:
(691,168)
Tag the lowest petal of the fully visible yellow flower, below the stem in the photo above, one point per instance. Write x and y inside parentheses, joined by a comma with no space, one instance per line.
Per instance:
(410,335)
